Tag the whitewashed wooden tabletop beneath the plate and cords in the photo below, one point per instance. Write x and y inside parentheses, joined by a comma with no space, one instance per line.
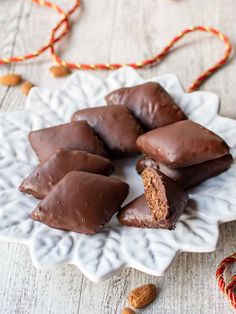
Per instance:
(117,31)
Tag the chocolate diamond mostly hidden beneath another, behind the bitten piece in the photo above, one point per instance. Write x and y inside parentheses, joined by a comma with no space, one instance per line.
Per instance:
(189,176)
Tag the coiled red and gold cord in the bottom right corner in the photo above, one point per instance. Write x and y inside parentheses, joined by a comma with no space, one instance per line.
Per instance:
(228,289)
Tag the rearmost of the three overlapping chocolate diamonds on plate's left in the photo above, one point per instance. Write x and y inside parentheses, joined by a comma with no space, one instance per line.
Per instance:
(74,135)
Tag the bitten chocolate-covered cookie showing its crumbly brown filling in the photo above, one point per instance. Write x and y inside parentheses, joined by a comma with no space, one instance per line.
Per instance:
(161,206)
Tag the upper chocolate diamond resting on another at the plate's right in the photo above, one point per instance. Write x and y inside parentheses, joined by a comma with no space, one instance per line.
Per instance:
(182,144)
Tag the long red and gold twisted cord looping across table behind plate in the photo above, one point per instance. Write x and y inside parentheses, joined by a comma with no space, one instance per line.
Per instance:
(112,66)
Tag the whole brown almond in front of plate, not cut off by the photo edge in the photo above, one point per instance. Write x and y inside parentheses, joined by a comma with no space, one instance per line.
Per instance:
(142,296)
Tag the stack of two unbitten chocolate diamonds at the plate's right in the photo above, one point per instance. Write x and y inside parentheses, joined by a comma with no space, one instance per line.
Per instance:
(185,151)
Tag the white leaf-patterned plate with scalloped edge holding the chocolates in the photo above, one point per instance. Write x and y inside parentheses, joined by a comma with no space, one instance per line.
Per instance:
(102,255)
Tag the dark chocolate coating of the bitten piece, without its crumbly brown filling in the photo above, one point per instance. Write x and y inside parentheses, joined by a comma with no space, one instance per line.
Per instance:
(137,213)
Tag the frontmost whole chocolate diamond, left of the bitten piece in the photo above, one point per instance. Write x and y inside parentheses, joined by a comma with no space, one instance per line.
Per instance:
(81,202)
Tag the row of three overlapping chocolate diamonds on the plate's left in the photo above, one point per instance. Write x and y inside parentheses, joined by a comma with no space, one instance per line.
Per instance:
(71,179)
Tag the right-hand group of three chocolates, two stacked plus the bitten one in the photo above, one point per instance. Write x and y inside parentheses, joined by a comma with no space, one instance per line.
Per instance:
(188,154)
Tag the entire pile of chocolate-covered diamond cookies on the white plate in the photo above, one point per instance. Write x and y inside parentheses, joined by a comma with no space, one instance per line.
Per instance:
(71,178)
